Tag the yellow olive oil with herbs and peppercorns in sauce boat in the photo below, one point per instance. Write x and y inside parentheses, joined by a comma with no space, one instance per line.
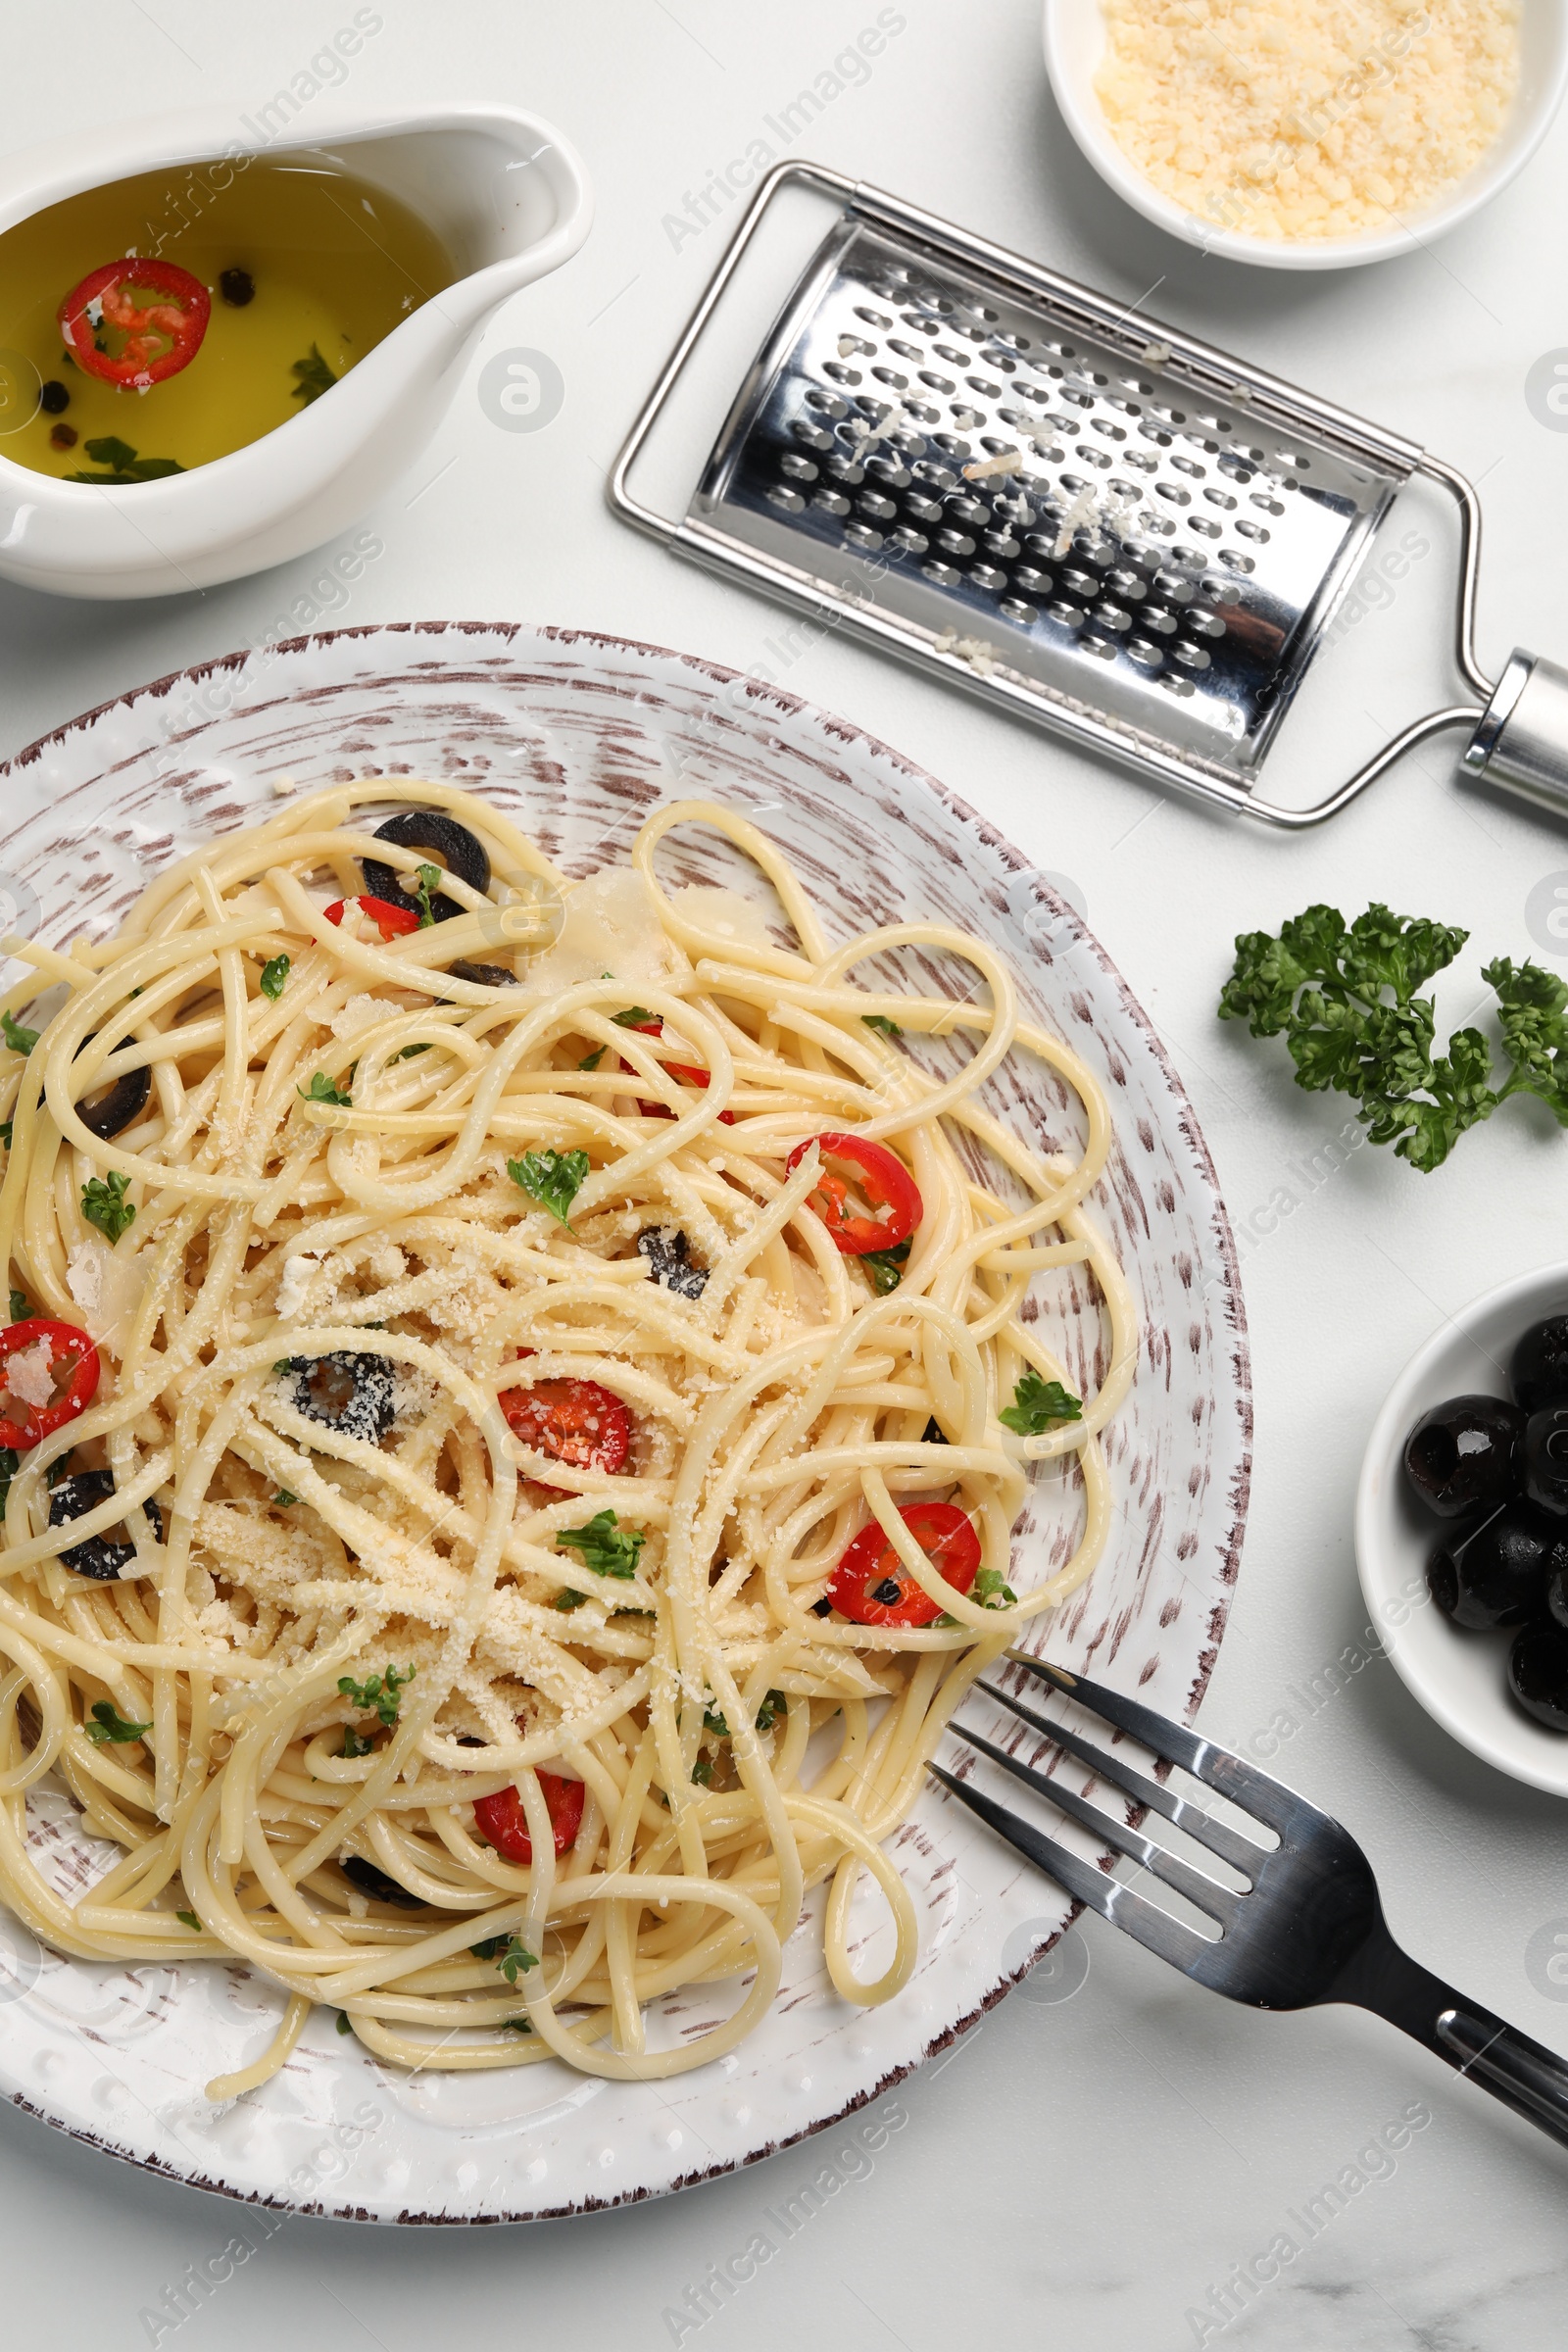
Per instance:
(307,269)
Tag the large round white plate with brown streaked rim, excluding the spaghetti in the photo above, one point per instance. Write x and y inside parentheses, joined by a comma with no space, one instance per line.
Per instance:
(577,737)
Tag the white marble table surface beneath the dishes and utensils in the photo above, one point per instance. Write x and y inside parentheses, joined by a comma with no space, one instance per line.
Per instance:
(1078,2172)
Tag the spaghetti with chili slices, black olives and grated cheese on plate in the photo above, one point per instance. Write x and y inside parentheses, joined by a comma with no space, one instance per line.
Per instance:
(518,1396)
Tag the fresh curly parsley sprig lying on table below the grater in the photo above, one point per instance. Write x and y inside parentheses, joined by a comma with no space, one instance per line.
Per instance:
(1346,998)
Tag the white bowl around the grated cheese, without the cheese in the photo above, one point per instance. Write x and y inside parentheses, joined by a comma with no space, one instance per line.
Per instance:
(1076,46)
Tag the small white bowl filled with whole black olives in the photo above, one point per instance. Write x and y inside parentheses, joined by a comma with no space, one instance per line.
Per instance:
(1463,1528)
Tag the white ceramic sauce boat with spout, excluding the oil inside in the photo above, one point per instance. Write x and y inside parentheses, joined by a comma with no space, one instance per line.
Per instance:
(511,203)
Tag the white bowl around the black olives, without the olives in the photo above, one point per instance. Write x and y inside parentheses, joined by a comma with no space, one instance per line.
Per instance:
(1461,1678)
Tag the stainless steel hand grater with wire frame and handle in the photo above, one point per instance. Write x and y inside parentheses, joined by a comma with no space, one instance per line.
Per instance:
(1097,523)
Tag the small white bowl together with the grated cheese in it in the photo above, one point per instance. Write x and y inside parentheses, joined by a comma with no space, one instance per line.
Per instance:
(1308,135)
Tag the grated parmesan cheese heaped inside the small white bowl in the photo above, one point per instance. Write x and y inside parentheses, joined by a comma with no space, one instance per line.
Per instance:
(1308,119)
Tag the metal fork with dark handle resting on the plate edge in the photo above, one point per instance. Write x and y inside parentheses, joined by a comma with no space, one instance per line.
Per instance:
(1308,1930)
